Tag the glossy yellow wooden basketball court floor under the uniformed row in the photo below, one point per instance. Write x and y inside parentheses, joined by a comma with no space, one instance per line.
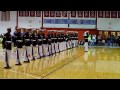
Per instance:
(98,63)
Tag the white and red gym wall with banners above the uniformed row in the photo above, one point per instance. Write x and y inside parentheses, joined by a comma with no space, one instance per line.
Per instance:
(78,21)
